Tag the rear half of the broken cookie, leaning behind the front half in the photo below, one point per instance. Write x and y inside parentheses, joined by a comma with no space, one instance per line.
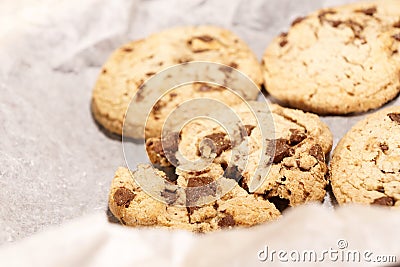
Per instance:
(297,172)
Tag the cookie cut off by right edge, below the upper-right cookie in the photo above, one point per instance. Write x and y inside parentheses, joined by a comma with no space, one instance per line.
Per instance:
(365,167)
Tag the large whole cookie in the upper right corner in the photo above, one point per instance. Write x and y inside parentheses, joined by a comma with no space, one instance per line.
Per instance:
(337,60)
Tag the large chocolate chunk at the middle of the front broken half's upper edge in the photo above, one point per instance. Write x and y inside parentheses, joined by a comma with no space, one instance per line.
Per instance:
(199,187)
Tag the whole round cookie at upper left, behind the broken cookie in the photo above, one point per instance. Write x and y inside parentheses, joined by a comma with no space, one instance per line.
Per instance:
(128,68)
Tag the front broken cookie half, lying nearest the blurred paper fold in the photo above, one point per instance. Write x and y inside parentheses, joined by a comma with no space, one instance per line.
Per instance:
(167,208)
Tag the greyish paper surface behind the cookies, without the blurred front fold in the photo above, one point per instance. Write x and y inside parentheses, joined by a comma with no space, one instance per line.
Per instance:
(55,162)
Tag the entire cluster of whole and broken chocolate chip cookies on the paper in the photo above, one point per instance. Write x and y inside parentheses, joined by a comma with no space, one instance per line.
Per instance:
(335,61)
